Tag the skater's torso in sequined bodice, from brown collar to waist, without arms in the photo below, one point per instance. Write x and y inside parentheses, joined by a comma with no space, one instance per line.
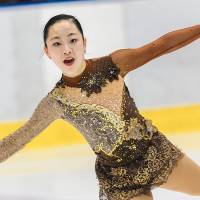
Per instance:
(99,105)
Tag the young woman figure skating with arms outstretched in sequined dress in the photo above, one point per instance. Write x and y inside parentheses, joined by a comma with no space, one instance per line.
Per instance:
(133,156)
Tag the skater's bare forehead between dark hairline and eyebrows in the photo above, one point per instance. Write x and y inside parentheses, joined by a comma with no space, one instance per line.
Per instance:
(62,27)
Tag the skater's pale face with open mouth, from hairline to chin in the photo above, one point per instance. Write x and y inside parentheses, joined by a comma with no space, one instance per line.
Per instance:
(66,47)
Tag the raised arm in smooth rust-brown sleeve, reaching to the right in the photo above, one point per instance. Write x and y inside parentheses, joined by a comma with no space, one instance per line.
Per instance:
(130,59)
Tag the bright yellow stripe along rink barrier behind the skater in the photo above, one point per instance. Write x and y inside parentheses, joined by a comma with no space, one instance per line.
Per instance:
(170,121)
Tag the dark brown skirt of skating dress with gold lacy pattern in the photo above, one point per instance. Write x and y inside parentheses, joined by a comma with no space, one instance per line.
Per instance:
(139,176)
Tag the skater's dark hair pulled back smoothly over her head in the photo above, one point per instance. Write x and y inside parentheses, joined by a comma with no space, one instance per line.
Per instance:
(57,18)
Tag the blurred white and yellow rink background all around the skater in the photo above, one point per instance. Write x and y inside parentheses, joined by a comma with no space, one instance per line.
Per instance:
(58,164)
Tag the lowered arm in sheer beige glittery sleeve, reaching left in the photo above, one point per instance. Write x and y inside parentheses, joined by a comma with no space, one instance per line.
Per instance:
(46,112)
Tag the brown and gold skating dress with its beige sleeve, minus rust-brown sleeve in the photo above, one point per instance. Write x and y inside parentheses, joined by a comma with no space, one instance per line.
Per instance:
(133,156)
